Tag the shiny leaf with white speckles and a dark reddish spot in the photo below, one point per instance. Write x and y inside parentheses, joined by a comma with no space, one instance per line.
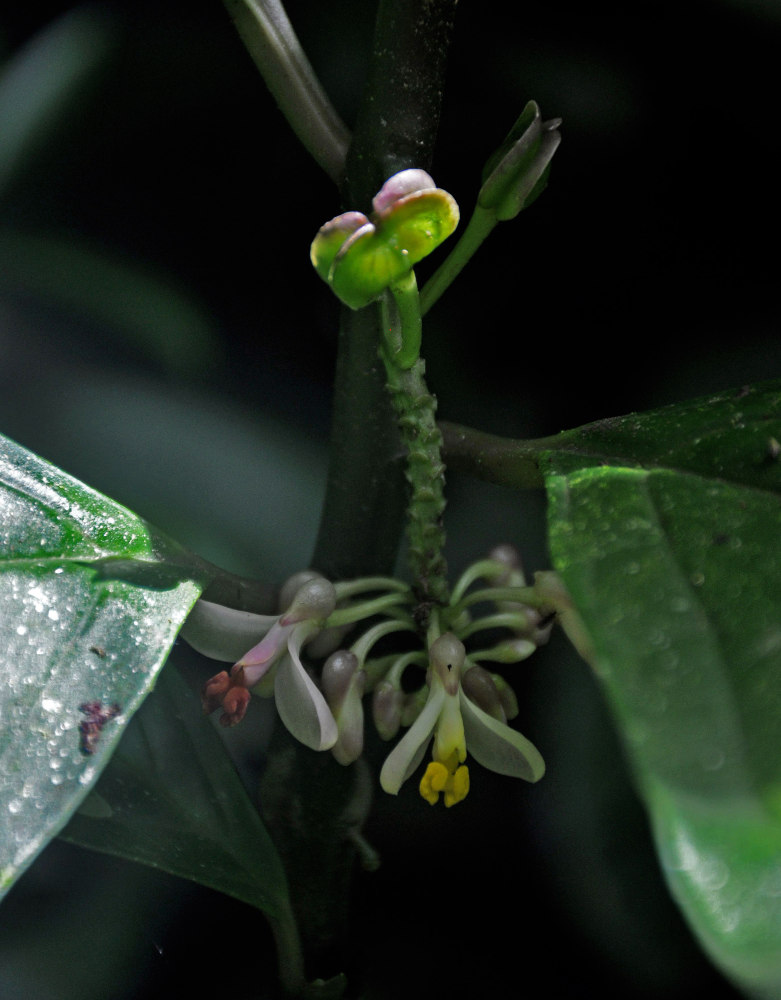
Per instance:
(91,600)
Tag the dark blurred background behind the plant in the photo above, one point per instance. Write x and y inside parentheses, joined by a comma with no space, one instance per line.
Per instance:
(188,376)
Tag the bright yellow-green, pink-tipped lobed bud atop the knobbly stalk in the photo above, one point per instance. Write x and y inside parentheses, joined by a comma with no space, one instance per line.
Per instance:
(360,257)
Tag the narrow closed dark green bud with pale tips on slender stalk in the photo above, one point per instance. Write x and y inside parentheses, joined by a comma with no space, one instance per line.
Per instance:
(517,173)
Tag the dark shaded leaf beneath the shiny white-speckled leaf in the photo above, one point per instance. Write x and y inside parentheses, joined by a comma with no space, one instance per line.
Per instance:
(171,799)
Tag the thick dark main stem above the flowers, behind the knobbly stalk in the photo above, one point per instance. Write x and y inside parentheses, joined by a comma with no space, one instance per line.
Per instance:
(363,513)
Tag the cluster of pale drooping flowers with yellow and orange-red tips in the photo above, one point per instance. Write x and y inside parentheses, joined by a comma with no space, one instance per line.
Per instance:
(460,706)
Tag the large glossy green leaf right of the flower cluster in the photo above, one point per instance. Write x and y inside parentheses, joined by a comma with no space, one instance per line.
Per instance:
(675,570)
